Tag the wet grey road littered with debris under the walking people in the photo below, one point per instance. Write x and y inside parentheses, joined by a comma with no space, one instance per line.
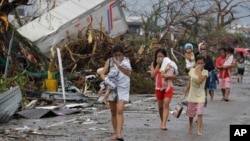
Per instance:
(141,121)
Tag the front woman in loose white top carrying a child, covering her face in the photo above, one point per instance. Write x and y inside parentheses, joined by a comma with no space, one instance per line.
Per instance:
(118,96)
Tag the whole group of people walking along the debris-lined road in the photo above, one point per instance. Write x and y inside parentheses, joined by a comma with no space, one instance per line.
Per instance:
(202,80)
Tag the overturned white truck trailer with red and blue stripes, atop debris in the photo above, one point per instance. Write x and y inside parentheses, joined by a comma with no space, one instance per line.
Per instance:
(66,19)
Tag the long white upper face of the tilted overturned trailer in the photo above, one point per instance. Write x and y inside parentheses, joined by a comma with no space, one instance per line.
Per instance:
(50,22)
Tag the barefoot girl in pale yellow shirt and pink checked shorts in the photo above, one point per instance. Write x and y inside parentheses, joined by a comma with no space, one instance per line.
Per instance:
(195,90)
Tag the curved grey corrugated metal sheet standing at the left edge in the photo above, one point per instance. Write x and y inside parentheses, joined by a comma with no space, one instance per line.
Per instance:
(10,101)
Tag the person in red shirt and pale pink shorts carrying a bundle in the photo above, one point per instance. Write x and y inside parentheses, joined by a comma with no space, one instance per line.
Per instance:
(224,81)
